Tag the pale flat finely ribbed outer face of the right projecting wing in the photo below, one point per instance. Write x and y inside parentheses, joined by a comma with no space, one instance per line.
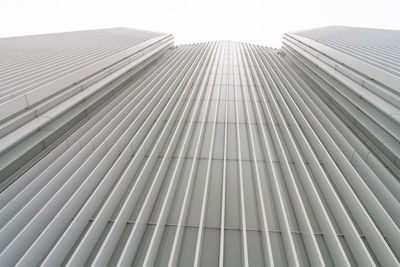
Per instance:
(373,52)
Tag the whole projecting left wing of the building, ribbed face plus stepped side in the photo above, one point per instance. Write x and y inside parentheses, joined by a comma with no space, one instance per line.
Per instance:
(29,128)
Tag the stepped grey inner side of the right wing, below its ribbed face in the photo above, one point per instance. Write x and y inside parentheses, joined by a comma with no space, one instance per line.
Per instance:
(368,109)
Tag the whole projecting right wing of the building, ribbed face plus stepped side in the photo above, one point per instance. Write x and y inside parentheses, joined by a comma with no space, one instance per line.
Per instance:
(354,86)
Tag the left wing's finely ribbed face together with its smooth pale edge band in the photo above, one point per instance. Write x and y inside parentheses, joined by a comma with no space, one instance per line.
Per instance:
(36,67)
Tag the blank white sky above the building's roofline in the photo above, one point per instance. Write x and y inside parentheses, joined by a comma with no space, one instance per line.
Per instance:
(254,21)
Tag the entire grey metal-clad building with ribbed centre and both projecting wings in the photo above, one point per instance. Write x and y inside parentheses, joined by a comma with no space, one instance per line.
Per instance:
(118,147)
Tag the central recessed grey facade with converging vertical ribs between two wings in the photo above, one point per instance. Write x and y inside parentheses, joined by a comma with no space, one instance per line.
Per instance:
(219,153)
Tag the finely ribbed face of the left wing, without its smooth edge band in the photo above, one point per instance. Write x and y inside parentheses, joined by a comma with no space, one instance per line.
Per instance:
(31,61)
